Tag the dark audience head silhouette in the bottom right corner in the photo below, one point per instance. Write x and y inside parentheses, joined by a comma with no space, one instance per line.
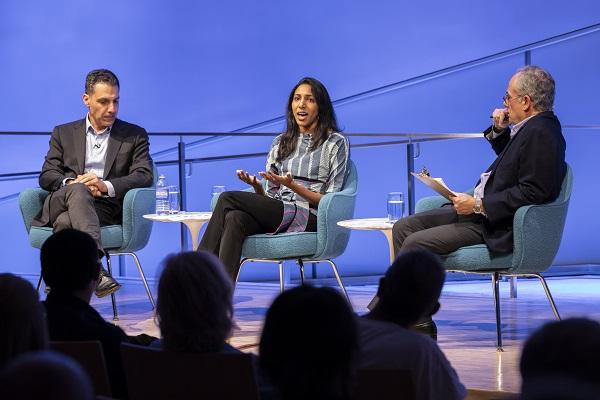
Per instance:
(560,361)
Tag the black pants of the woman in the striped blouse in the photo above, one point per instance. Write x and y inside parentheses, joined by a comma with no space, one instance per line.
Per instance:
(236,216)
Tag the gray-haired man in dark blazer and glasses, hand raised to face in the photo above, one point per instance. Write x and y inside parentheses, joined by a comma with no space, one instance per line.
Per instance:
(529,169)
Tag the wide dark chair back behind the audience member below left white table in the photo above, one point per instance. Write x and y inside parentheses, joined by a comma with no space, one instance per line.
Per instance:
(159,374)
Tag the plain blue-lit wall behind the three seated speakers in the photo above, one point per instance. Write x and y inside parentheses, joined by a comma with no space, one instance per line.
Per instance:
(223,66)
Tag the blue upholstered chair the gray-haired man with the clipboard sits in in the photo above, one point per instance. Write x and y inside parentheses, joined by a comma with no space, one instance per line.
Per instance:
(537,231)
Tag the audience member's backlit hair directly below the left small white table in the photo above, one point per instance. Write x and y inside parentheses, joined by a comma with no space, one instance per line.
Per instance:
(194,307)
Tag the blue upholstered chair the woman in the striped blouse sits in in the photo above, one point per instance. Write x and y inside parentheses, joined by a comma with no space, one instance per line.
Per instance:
(328,242)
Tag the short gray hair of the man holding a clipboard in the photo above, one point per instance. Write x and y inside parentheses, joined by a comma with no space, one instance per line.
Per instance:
(538,84)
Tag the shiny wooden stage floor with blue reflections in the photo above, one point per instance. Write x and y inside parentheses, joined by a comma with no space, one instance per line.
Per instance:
(466,321)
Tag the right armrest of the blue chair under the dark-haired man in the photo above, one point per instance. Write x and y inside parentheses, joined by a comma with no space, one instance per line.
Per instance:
(136,229)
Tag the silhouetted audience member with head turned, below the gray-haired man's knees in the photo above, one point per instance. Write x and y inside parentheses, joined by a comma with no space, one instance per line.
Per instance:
(407,293)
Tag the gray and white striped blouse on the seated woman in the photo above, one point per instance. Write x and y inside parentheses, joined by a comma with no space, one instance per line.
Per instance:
(322,170)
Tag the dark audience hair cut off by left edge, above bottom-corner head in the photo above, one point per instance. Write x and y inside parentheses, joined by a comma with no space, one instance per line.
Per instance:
(22,319)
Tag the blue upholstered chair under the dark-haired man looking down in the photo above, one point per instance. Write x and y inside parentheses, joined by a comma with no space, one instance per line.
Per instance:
(117,240)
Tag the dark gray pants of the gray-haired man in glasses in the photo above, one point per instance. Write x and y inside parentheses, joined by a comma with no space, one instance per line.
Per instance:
(441,231)
